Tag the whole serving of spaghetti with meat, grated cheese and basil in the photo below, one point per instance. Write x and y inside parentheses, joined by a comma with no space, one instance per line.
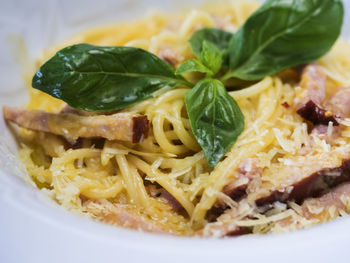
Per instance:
(221,121)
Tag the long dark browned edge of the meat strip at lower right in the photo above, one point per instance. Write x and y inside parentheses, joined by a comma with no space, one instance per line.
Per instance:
(314,185)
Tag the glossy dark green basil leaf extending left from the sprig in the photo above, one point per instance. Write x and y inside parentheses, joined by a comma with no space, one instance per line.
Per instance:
(97,78)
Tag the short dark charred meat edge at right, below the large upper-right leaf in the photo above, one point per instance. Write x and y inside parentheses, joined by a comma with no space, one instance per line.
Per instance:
(313,113)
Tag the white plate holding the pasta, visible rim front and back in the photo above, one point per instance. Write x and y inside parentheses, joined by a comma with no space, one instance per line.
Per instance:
(35,229)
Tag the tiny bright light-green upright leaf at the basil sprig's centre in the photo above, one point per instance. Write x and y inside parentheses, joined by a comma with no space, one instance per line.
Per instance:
(211,56)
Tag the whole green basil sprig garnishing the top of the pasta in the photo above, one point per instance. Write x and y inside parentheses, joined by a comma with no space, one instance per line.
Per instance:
(279,35)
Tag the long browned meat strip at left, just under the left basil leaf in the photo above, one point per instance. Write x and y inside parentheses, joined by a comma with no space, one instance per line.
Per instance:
(119,126)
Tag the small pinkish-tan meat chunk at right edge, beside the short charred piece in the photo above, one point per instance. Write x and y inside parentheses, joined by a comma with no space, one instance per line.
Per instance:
(339,103)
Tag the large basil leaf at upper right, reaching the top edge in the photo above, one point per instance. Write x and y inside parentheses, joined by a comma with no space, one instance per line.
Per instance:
(282,34)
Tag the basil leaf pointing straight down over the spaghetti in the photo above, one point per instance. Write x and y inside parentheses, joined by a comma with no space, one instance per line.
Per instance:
(216,119)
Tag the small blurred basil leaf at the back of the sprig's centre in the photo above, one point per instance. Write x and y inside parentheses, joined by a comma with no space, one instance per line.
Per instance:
(216,36)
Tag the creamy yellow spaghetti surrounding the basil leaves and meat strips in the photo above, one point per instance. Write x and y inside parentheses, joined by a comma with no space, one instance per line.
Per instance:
(110,179)
